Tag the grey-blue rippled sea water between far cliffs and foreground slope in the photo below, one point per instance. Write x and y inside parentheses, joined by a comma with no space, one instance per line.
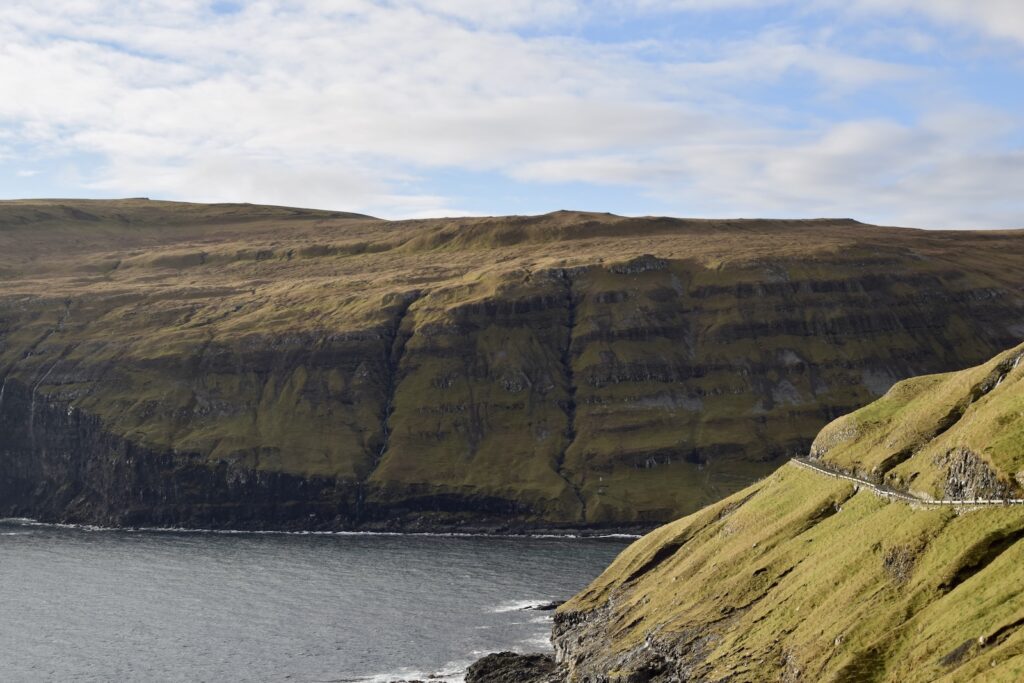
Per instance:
(102,606)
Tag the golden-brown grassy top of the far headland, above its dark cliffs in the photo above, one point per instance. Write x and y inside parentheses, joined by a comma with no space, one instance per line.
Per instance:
(62,248)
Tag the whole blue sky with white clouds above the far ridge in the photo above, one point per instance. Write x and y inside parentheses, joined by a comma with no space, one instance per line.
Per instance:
(892,112)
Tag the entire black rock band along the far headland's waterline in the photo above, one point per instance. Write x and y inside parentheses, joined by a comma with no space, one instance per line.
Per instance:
(69,469)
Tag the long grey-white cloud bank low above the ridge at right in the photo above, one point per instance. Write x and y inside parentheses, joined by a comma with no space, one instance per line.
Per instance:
(930,176)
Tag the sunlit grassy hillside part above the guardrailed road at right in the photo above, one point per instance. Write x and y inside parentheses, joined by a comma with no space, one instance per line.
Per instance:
(954,436)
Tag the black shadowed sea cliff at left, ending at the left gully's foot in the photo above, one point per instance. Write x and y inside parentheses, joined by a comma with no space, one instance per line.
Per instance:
(68,468)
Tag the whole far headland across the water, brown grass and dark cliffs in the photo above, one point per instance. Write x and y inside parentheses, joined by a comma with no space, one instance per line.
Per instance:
(167,364)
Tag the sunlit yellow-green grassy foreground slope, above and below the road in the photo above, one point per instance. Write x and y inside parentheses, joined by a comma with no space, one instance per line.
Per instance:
(804,577)
